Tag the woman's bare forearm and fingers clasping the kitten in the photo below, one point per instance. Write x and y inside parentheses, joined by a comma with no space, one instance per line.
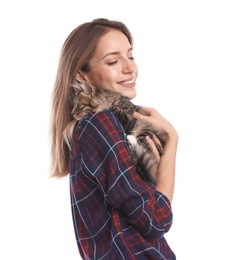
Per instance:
(166,168)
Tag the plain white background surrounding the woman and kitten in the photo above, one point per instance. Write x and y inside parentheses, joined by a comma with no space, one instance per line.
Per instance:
(181,48)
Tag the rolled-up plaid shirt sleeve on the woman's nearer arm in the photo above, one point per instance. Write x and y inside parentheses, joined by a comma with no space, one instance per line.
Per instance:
(106,159)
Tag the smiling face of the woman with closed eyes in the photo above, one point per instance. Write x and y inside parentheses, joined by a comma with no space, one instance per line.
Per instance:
(112,66)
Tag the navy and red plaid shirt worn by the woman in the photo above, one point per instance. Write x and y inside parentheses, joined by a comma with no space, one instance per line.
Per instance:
(116,214)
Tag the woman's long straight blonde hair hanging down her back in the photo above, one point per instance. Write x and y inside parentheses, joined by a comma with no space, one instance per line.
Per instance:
(75,55)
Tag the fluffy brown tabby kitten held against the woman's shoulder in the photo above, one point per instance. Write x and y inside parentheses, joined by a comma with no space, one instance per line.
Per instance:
(136,130)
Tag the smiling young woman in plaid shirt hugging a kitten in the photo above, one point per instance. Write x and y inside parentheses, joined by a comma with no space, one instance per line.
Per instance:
(116,214)
